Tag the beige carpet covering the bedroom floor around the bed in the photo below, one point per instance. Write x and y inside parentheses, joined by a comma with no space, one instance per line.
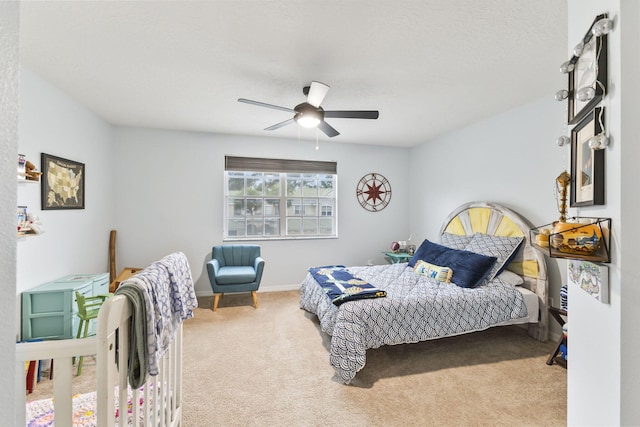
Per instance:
(270,367)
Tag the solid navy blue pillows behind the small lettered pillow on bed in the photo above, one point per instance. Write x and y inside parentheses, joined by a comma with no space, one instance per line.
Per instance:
(469,268)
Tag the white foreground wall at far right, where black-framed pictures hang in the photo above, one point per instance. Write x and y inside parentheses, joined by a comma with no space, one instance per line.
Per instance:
(604,345)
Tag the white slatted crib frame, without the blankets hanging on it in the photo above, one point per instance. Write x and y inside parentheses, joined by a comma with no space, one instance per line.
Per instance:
(160,401)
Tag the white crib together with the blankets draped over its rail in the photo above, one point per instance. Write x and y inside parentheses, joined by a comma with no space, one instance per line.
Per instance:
(152,392)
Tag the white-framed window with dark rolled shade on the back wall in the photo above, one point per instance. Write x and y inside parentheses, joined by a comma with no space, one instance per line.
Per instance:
(274,198)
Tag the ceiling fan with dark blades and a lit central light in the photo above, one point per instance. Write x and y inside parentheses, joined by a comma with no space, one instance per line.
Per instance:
(310,114)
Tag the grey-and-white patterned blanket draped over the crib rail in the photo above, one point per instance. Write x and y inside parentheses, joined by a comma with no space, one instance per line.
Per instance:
(169,299)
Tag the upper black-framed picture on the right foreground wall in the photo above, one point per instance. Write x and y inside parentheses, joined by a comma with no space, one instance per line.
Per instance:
(590,70)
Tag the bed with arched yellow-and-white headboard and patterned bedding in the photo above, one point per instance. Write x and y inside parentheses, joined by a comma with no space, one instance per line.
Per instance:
(415,307)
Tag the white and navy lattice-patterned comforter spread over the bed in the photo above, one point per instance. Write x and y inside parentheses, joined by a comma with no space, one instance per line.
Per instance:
(415,309)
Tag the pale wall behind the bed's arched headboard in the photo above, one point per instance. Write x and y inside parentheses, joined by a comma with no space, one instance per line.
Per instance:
(511,159)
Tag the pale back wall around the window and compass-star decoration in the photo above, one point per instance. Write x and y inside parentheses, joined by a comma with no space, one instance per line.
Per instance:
(169,188)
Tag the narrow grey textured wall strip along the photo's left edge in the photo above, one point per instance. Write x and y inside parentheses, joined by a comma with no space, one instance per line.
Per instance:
(9,97)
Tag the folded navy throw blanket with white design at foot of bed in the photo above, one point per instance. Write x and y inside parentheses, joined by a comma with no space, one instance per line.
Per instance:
(341,286)
